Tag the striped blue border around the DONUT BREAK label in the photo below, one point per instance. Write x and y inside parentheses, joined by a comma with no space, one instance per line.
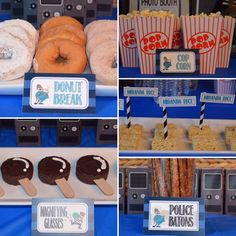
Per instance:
(92,94)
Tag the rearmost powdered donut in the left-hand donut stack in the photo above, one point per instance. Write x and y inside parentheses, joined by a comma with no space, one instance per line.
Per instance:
(24,24)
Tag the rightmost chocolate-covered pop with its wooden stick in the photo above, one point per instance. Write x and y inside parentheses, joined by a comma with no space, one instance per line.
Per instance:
(94,169)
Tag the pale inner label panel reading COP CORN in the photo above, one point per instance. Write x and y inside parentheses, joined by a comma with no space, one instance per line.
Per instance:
(177,62)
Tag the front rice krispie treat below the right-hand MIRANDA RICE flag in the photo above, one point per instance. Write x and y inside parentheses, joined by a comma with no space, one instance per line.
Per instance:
(201,143)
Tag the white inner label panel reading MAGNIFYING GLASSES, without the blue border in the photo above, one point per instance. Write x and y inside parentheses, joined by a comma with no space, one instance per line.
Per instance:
(62,217)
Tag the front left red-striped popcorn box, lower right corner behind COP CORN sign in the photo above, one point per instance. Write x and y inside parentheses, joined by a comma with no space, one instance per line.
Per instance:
(152,32)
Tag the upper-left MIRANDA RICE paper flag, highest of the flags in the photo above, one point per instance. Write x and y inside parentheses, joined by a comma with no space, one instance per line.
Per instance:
(140,92)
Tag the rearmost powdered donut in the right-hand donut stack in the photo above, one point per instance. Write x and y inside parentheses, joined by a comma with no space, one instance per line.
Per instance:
(101,26)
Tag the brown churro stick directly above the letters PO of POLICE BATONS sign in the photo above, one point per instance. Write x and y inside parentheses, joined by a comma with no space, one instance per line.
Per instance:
(174,177)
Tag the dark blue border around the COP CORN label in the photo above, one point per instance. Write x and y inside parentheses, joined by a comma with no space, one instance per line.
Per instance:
(197,61)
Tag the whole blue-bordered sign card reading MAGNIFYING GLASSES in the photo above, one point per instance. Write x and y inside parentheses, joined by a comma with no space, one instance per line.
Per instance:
(64,217)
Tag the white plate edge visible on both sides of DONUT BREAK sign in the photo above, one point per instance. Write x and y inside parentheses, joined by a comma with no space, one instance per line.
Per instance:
(15,87)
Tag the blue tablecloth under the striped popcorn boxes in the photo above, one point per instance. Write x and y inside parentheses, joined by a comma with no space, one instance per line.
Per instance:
(220,73)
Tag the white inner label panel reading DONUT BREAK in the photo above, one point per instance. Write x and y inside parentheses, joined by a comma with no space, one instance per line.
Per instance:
(59,93)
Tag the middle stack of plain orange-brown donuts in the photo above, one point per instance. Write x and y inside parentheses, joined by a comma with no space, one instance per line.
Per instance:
(61,47)
